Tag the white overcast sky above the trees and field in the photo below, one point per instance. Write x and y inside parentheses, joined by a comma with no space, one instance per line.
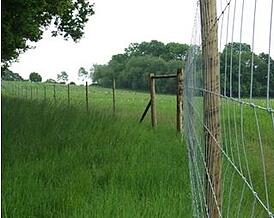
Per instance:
(118,23)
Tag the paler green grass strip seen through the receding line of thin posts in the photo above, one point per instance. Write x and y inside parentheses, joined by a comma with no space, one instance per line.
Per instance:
(128,103)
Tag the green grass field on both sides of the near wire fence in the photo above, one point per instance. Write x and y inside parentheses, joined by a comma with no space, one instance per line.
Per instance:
(60,161)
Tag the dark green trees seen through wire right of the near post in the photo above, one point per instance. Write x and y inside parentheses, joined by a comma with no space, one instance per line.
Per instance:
(260,69)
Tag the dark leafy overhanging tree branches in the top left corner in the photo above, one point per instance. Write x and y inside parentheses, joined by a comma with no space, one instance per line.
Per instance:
(26,20)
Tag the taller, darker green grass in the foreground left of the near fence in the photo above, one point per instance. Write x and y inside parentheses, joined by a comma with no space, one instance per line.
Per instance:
(60,162)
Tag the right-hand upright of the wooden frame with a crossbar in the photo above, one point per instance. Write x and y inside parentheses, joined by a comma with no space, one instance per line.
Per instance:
(179,100)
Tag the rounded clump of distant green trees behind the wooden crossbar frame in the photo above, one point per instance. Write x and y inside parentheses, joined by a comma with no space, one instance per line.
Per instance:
(132,68)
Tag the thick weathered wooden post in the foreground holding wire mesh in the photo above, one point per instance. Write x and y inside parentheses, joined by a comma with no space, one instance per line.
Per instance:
(211,106)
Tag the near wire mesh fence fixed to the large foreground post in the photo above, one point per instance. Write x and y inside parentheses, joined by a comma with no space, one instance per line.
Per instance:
(246,111)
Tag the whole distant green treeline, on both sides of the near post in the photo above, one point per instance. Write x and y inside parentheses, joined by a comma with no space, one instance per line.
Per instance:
(131,68)
